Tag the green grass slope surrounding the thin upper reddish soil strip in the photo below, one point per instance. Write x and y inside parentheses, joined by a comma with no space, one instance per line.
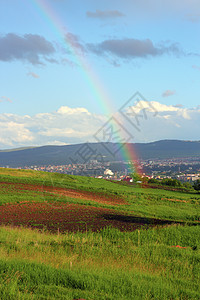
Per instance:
(143,202)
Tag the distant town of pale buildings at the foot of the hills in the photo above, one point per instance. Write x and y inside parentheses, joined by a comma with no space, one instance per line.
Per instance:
(183,169)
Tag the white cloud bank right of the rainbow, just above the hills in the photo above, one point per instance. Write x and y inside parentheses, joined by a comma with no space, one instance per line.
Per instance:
(169,122)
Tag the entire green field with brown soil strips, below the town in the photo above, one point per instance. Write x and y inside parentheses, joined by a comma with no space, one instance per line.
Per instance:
(145,247)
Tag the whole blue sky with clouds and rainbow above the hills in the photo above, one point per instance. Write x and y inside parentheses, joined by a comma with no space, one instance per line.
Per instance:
(69,69)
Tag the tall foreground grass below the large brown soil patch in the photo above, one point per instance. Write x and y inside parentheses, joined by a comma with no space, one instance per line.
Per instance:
(106,265)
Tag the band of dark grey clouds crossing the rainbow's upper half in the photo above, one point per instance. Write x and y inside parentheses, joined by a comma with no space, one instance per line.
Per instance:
(36,50)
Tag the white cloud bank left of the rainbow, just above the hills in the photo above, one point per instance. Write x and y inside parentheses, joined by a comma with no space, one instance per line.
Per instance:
(65,126)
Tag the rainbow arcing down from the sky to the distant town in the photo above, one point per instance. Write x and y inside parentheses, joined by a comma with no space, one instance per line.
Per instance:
(47,13)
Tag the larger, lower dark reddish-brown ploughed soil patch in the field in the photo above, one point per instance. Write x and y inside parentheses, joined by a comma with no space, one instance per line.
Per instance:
(70,217)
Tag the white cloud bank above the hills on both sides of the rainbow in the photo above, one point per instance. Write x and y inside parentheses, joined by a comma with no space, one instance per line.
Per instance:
(77,125)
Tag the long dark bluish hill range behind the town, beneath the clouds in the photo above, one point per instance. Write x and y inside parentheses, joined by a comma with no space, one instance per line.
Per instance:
(60,155)
